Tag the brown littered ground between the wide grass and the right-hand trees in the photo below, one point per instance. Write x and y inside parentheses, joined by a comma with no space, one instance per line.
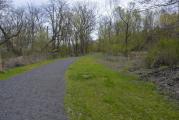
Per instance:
(166,78)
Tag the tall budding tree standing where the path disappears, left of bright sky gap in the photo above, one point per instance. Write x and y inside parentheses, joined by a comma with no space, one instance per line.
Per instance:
(83,22)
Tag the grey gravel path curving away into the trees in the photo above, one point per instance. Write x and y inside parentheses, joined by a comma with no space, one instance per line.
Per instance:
(36,95)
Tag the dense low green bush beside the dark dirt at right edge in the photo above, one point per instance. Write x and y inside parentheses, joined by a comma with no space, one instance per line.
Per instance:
(165,53)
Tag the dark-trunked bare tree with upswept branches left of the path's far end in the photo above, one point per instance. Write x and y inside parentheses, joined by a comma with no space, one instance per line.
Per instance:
(55,12)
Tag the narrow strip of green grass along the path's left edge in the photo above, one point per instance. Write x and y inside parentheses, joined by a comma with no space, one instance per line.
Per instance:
(18,70)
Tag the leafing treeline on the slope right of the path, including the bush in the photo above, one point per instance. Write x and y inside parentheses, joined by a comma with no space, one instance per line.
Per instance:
(154,29)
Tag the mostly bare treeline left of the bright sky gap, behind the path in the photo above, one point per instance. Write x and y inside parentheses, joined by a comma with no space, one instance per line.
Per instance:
(55,28)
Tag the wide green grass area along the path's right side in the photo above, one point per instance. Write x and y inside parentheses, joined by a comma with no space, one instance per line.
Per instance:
(95,92)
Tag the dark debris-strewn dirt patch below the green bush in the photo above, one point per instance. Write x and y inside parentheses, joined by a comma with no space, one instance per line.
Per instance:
(166,78)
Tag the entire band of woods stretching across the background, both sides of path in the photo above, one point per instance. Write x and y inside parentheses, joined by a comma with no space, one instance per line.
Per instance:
(60,28)
